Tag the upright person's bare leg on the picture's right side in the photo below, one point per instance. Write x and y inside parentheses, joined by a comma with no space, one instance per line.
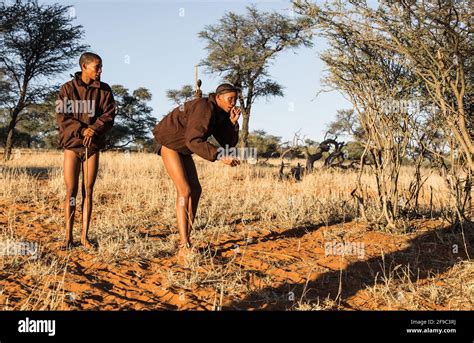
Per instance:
(89,174)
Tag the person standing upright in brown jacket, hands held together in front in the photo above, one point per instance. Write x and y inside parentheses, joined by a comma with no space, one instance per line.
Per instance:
(85,111)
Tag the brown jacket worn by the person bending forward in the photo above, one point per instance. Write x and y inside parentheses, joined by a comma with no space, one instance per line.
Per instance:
(187,128)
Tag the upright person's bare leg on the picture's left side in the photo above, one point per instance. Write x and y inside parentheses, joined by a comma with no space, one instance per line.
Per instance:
(72,165)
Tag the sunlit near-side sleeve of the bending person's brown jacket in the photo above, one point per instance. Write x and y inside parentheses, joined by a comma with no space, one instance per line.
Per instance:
(197,128)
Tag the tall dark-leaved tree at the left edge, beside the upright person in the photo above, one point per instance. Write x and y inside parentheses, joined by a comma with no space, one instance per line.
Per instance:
(35,41)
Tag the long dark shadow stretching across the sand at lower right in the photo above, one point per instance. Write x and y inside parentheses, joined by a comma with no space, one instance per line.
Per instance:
(435,251)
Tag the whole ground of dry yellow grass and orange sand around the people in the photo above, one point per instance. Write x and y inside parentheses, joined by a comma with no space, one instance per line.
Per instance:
(261,242)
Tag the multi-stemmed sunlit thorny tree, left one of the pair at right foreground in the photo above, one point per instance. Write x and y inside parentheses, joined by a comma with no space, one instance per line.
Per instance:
(370,78)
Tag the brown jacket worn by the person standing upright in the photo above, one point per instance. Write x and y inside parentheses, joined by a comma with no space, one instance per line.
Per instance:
(93,106)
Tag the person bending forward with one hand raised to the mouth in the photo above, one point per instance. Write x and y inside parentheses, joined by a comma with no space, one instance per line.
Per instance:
(185,131)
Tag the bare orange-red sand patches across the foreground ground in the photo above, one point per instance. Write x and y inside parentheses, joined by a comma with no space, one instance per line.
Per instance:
(293,260)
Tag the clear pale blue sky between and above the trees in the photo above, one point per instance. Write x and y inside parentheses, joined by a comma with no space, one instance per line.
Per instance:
(155,44)
